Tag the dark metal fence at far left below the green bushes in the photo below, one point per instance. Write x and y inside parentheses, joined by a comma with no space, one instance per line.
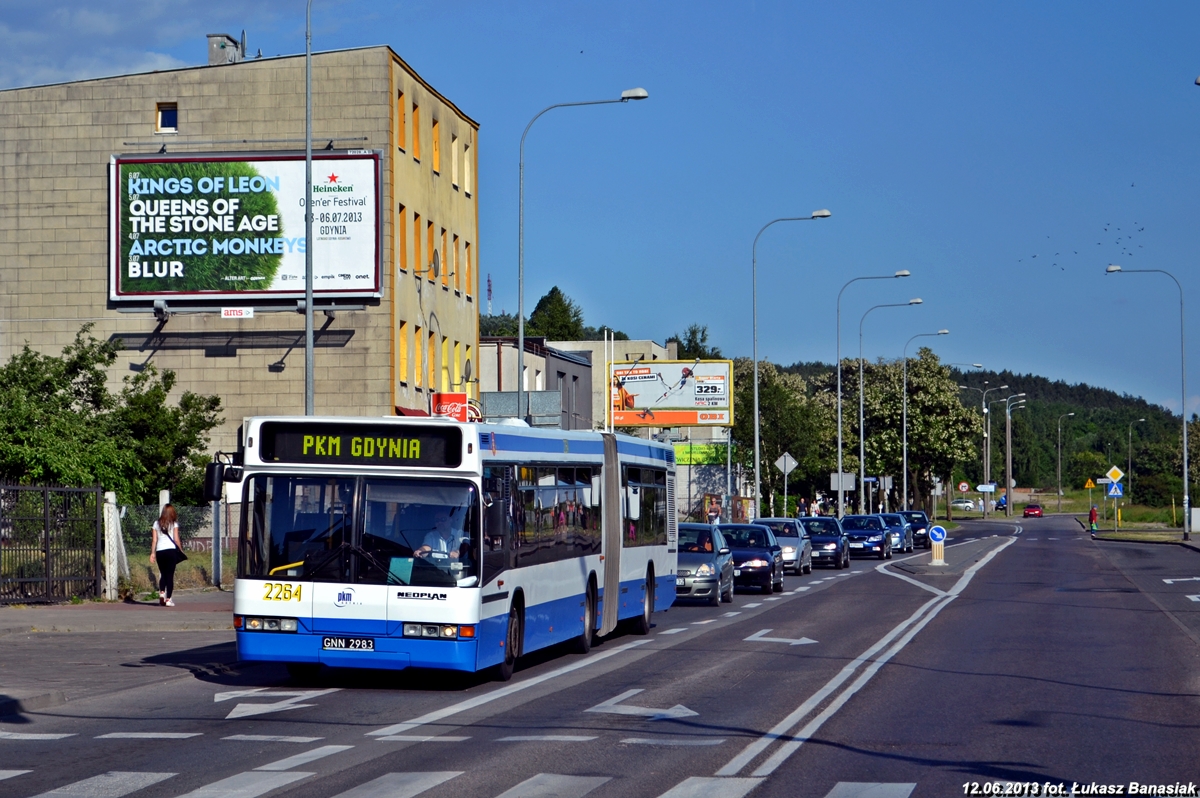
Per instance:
(50,543)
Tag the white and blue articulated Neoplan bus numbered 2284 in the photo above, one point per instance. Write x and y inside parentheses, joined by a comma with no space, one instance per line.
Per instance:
(424,543)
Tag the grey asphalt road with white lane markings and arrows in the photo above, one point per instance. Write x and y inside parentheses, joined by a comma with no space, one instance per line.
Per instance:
(1039,656)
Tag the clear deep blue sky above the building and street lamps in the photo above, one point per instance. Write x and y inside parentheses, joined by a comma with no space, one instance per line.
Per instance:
(1005,154)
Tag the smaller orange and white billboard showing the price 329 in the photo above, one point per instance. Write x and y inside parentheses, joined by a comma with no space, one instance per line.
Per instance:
(671,393)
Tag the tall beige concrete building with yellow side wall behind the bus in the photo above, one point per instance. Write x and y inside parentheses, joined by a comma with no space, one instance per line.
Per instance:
(377,355)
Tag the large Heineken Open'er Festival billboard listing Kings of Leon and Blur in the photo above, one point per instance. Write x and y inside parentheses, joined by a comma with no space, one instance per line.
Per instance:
(220,226)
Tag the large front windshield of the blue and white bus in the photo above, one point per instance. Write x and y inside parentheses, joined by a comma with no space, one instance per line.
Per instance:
(399,532)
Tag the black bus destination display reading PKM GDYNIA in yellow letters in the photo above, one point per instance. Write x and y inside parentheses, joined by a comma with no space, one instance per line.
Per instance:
(362,445)
